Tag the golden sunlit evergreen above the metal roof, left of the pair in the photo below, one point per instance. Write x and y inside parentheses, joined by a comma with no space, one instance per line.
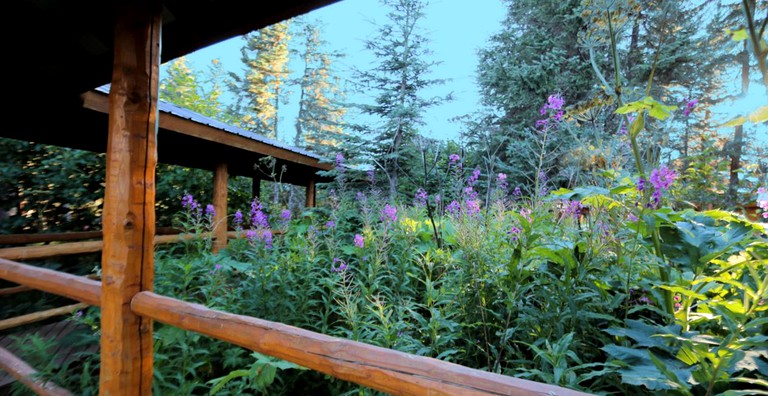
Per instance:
(260,89)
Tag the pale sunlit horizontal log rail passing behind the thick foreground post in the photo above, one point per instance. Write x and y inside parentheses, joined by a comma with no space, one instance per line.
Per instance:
(69,248)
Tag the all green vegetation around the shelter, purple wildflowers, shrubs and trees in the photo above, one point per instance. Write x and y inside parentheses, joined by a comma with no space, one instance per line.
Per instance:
(589,229)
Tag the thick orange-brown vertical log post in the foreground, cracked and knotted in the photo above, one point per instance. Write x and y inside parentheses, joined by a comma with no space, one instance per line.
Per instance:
(129,200)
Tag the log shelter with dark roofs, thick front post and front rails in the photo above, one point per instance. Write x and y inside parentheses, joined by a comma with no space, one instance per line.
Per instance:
(62,52)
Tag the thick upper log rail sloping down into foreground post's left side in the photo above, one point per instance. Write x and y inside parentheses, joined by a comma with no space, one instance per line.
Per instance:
(75,287)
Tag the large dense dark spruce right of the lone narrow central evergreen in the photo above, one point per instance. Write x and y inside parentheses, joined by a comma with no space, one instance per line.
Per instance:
(536,54)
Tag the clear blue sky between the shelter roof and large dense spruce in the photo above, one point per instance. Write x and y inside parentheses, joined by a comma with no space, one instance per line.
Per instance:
(456,28)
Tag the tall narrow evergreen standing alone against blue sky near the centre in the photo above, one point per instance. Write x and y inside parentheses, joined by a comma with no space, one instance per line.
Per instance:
(399,78)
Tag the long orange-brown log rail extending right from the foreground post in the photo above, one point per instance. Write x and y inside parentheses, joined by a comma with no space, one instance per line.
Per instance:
(375,367)
